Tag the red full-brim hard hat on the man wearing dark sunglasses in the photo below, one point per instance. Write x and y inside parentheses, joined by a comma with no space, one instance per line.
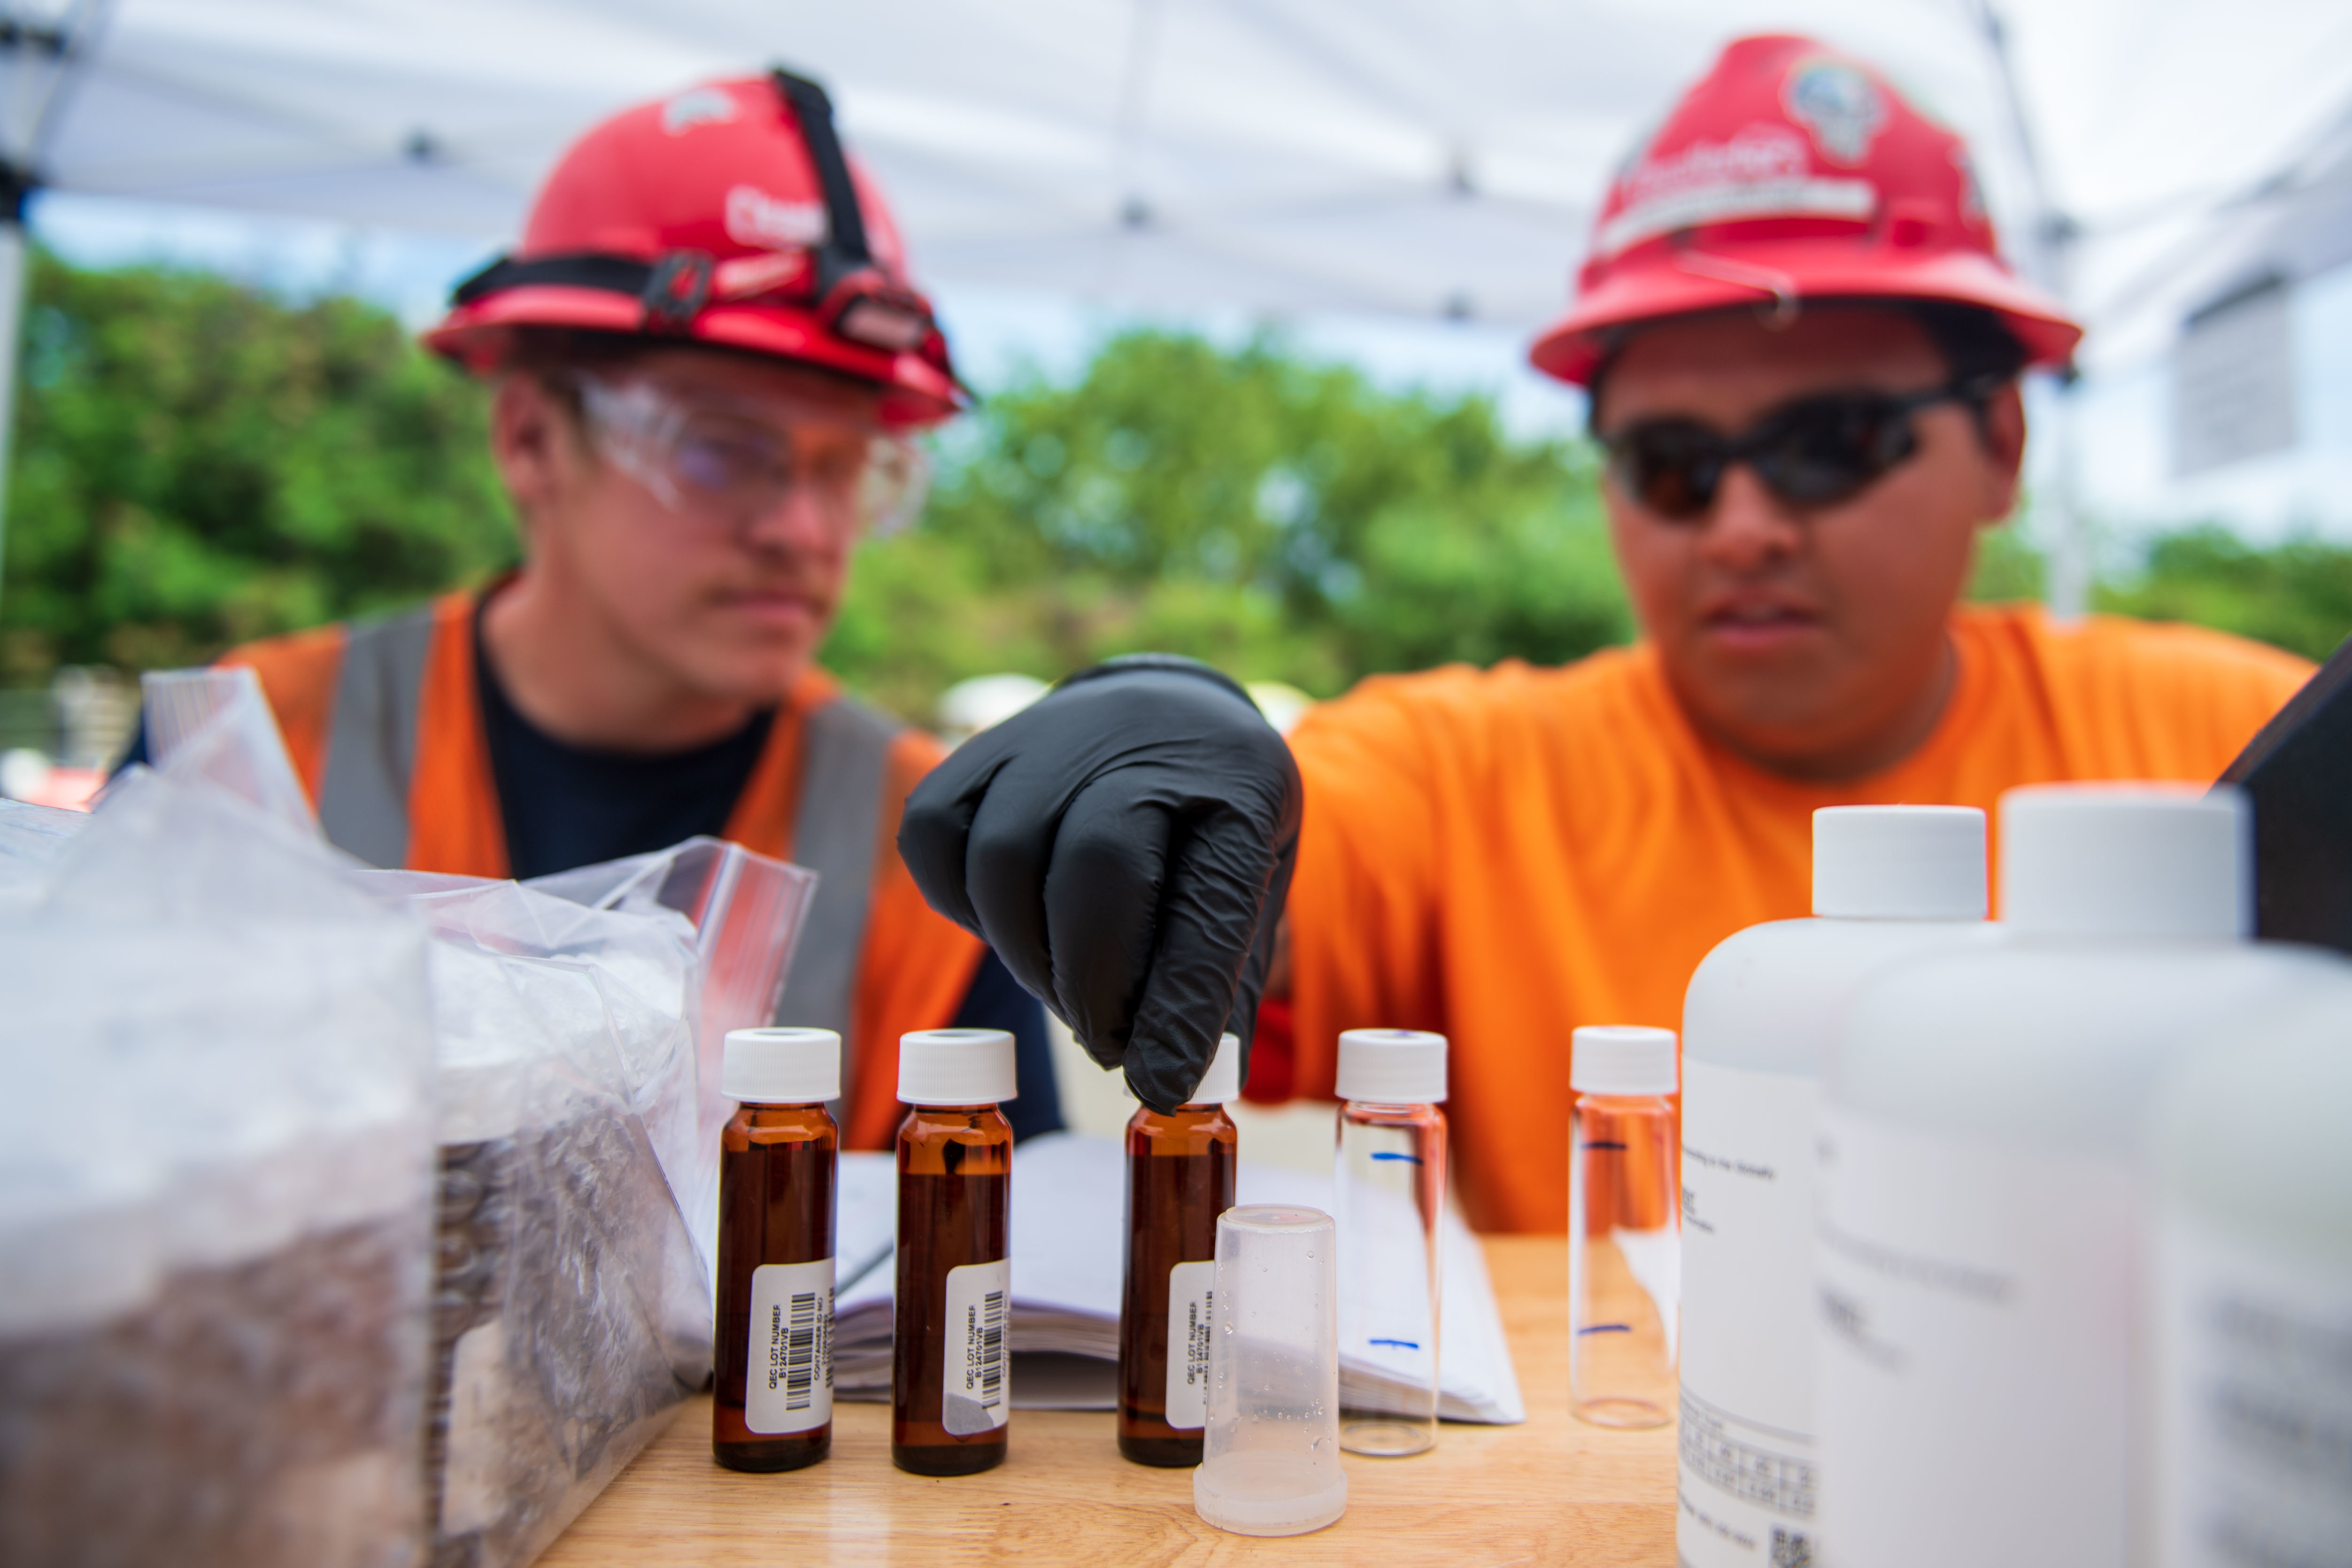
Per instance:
(1793,173)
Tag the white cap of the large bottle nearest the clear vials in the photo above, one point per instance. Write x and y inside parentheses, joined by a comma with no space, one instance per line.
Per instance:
(1899,864)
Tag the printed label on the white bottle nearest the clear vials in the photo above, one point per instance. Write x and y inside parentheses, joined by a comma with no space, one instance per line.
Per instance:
(1746,1489)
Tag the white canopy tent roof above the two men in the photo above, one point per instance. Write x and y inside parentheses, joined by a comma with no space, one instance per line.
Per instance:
(1408,156)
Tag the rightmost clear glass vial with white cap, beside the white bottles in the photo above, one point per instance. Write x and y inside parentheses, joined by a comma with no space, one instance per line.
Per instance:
(1624,1228)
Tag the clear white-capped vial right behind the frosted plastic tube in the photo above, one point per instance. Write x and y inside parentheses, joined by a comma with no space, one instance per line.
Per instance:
(1389,1191)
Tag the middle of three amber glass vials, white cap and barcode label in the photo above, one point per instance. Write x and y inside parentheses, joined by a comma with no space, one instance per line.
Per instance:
(951,1369)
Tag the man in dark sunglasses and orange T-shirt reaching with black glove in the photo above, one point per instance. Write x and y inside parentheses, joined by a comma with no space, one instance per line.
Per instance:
(1803,356)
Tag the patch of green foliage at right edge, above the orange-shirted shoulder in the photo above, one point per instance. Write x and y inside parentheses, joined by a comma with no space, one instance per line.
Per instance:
(2297,594)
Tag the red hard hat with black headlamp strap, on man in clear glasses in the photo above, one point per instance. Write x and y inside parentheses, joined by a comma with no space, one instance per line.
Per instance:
(726,215)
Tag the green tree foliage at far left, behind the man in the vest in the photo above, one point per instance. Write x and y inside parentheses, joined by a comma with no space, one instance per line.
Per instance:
(201,464)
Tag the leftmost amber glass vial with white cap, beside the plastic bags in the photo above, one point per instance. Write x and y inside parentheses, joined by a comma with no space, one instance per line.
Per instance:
(775,1315)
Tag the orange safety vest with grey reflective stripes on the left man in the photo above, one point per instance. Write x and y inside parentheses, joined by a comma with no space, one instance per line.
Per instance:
(385,728)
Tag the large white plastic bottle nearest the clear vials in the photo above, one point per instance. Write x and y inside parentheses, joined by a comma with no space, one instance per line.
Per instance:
(1760,1017)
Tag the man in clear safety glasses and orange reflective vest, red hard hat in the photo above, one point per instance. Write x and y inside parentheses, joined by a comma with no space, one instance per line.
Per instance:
(707,361)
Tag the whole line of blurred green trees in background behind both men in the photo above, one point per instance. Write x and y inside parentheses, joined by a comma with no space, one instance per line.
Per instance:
(201,464)
